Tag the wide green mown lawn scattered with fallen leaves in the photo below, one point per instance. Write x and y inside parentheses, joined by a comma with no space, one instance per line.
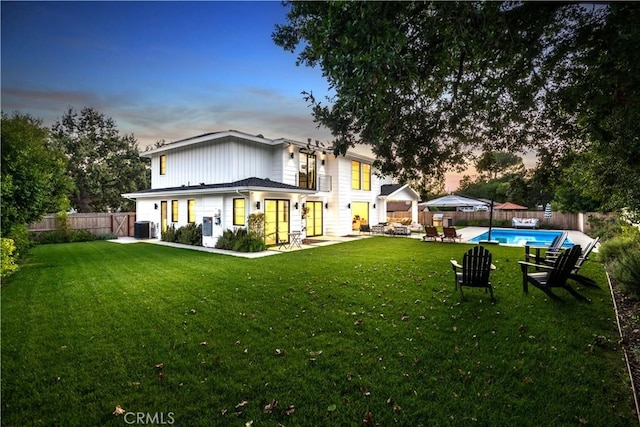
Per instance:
(367,330)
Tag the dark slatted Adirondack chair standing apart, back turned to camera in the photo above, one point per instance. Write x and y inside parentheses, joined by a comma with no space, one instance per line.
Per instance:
(474,271)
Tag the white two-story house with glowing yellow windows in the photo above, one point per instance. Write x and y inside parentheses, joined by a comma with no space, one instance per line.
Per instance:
(219,179)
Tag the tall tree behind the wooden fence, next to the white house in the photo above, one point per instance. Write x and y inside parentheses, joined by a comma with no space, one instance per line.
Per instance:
(103,163)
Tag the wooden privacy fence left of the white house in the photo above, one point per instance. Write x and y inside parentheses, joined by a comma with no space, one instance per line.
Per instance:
(122,224)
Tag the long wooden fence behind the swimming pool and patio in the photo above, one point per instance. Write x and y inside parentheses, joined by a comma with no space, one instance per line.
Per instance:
(558,220)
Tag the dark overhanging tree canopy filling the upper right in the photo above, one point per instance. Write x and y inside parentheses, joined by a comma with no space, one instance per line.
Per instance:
(430,84)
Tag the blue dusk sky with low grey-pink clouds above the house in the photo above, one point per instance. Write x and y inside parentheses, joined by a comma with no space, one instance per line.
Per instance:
(161,70)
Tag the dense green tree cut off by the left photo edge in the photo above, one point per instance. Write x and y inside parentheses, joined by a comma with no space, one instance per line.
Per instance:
(34,180)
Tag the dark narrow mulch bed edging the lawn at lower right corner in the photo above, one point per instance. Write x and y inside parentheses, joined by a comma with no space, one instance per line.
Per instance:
(628,310)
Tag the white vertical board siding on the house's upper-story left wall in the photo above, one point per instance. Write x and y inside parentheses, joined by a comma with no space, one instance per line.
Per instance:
(226,160)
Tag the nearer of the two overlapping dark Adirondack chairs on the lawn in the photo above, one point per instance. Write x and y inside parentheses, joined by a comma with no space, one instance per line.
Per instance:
(553,276)
